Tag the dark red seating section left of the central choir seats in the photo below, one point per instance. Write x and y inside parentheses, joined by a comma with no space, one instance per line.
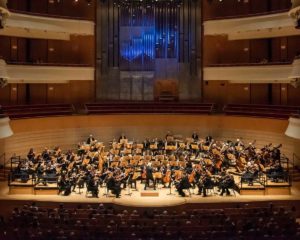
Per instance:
(38,110)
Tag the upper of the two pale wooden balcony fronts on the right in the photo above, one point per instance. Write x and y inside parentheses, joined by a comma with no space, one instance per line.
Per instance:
(253,27)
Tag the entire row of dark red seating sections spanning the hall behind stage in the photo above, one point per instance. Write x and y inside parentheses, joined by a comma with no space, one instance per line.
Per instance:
(130,107)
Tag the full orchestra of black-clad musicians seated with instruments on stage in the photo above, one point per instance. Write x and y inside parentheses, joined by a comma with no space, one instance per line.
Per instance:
(191,163)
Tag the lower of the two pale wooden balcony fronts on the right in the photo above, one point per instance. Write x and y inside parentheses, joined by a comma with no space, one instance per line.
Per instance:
(250,73)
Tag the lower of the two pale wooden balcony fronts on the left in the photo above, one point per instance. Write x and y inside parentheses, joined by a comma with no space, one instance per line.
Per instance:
(19,72)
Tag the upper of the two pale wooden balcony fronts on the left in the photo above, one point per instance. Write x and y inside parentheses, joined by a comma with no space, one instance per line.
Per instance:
(40,26)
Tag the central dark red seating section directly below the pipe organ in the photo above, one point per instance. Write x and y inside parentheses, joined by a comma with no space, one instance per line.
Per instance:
(149,107)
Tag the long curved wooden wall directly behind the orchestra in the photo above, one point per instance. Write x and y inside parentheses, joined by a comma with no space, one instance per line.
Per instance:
(67,131)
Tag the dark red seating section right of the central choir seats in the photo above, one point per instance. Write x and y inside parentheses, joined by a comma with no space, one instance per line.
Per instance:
(255,110)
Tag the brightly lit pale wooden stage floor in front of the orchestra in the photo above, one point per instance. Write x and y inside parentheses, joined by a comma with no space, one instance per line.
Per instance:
(136,200)
